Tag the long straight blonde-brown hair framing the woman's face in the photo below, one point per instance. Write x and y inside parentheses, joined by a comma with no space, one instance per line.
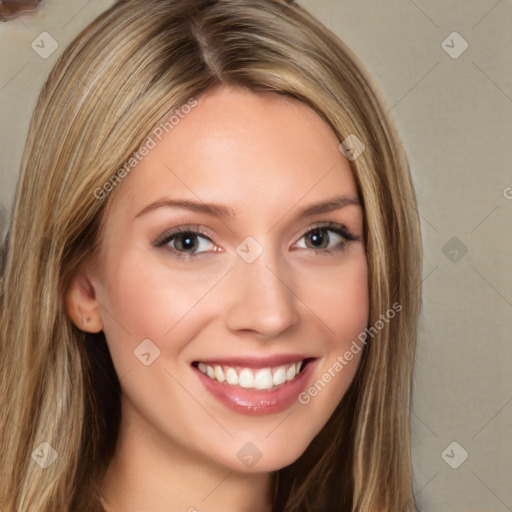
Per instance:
(122,76)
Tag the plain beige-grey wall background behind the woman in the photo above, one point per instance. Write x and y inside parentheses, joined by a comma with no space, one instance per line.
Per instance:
(454,115)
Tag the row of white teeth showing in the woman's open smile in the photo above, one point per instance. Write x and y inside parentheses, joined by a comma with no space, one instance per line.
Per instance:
(266,378)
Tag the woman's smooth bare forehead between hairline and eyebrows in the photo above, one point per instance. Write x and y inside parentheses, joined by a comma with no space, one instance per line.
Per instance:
(243,149)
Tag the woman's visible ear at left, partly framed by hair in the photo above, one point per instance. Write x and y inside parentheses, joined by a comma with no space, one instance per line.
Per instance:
(81,305)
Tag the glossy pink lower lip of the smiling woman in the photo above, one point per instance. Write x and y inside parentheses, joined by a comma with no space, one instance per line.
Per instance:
(254,401)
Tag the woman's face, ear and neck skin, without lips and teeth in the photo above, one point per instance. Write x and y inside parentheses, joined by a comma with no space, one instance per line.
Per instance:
(265,158)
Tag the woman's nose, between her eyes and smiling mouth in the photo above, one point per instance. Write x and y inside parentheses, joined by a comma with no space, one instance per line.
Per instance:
(260,298)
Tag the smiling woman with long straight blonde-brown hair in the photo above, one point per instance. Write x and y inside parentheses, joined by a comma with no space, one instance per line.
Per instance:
(212,278)
